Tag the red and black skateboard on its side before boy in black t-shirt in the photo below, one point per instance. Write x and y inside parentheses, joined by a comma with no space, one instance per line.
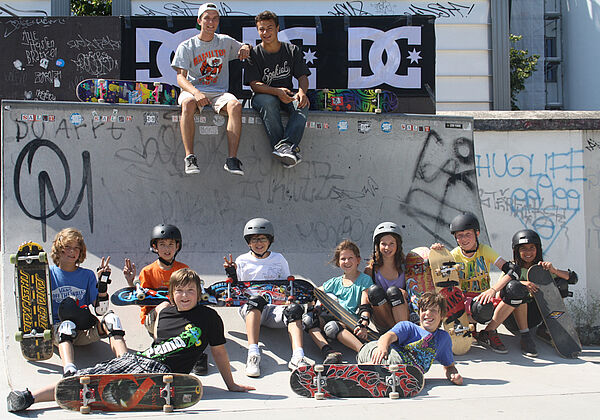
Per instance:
(127,392)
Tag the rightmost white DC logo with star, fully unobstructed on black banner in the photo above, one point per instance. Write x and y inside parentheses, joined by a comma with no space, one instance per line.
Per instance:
(384,72)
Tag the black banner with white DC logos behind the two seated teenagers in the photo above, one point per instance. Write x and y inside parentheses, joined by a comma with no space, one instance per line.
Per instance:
(394,53)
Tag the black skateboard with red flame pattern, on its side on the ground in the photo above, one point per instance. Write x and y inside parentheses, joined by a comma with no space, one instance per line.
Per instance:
(360,381)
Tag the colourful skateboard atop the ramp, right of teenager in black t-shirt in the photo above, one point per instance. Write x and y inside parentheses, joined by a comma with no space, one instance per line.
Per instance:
(354,100)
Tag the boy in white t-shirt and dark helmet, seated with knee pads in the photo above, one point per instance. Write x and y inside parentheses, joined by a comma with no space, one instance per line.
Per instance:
(261,264)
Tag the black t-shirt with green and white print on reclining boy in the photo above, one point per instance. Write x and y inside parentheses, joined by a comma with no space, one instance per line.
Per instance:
(183,336)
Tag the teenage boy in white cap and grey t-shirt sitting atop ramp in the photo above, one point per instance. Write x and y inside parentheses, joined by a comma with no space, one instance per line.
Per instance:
(201,63)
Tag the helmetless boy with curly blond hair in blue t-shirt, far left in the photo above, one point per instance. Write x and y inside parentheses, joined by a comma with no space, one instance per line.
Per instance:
(74,291)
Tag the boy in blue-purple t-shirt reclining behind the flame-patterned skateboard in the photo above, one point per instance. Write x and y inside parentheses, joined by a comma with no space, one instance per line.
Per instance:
(409,344)
